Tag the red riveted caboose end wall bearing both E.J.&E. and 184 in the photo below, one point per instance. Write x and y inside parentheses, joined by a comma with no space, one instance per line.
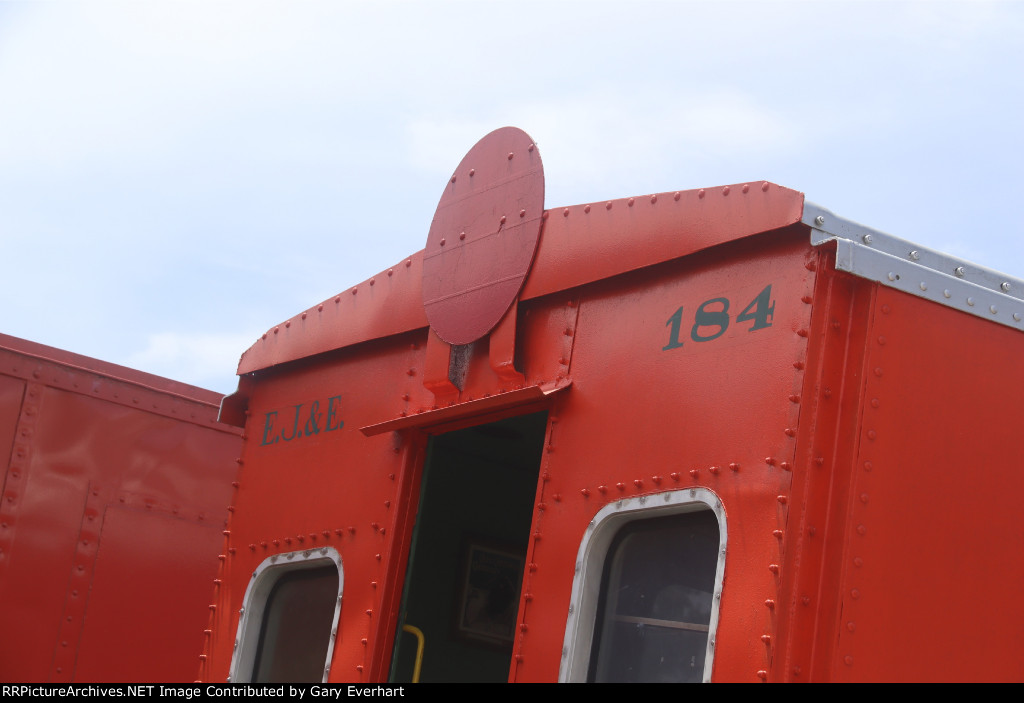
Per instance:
(636,414)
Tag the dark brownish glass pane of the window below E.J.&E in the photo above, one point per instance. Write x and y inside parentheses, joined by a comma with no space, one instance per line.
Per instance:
(296,630)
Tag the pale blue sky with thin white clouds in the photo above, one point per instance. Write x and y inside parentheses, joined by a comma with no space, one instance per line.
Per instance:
(179,178)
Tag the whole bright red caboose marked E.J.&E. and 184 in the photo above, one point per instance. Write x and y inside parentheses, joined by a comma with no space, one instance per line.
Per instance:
(707,435)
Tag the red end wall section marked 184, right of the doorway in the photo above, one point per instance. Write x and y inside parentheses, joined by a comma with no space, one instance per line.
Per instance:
(642,419)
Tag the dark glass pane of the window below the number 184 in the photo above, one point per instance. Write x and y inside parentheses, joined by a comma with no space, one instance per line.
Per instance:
(656,603)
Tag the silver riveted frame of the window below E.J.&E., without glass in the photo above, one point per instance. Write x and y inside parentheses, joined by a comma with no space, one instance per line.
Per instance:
(265,579)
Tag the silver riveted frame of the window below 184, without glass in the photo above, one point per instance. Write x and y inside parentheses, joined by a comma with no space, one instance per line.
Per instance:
(585,599)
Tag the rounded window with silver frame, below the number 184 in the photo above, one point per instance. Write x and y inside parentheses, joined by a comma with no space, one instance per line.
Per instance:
(647,592)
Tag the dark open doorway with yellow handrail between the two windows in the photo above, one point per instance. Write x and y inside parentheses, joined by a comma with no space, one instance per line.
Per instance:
(468,552)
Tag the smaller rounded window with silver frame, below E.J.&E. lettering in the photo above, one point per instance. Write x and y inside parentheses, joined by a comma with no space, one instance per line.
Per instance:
(287,629)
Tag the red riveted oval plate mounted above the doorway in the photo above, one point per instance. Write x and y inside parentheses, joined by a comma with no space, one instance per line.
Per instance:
(484,237)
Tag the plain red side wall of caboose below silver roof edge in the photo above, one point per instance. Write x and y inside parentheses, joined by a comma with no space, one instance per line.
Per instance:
(932,570)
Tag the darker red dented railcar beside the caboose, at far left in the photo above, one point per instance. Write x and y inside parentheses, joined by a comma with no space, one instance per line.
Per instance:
(115,493)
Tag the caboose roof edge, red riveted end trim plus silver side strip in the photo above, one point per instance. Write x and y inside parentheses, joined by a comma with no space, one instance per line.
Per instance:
(587,243)
